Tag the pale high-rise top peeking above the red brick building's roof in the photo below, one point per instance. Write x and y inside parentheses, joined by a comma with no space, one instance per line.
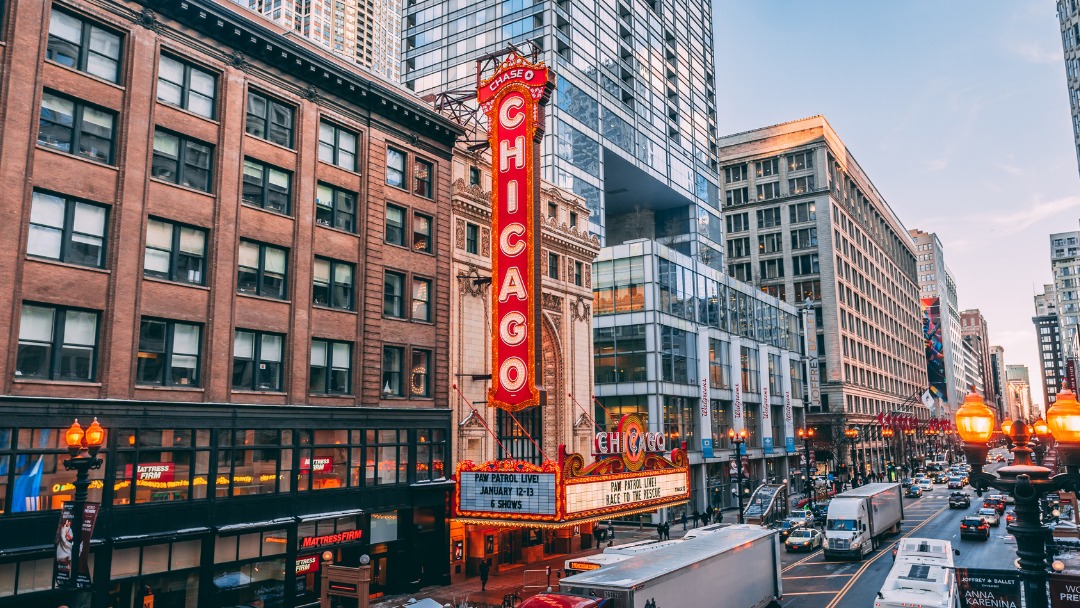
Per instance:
(363,32)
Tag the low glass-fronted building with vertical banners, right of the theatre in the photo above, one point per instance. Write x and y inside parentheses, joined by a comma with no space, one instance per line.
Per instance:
(667,330)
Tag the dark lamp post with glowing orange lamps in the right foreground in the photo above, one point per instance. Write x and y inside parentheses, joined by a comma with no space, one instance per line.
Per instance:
(1027,482)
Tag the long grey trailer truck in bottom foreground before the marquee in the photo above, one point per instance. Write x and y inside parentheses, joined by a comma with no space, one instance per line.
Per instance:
(684,574)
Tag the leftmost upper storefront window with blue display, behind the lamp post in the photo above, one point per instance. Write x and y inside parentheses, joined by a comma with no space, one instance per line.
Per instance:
(39,480)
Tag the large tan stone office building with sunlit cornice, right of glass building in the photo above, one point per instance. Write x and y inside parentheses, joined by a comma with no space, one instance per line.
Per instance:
(806,223)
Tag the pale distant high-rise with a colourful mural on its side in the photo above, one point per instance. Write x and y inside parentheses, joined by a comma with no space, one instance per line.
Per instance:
(941,318)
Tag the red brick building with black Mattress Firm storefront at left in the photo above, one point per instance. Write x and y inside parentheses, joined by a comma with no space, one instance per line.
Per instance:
(235,251)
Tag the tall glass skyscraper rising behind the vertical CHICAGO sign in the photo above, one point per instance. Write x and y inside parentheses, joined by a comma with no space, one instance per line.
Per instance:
(632,128)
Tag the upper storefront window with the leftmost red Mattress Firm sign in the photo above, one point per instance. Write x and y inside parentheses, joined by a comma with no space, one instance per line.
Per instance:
(161,465)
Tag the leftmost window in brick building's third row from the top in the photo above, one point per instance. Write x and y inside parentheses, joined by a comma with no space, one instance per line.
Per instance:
(67,231)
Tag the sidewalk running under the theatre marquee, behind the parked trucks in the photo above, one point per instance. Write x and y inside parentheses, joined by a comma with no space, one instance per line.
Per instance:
(510,579)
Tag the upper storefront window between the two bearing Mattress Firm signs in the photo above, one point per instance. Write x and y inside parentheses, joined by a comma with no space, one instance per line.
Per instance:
(253,463)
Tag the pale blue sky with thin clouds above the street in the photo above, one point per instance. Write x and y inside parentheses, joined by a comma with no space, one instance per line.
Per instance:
(958,112)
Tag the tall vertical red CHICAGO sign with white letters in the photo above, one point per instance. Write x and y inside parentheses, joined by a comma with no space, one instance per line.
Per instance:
(514,100)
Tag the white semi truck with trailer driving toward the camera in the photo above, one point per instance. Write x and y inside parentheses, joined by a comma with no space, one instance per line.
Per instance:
(859,519)
